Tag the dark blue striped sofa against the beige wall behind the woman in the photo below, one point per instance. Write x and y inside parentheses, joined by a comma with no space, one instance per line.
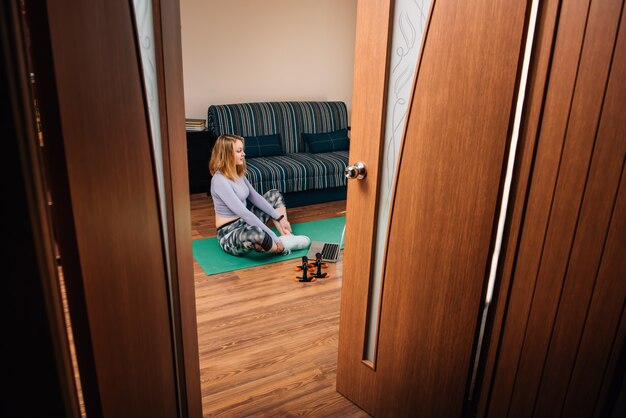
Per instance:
(303,177)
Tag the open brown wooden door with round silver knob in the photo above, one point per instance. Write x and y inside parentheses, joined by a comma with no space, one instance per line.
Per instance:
(444,207)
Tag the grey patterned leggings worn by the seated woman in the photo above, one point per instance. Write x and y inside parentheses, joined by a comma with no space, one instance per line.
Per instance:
(238,238)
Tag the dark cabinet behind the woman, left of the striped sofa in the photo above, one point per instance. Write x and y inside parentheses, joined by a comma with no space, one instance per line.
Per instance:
(199,146)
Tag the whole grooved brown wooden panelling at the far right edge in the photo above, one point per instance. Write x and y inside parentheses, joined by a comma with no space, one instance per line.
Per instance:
(562,334)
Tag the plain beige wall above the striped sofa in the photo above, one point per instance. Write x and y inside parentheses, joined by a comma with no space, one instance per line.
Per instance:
(266,50)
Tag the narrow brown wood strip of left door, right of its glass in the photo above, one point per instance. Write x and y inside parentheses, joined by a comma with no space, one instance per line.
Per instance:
(168,51)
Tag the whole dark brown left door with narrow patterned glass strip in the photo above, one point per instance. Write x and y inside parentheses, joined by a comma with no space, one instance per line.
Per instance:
(124,241)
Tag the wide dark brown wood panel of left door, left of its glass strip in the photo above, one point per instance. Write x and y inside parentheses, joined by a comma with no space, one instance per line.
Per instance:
(106,209)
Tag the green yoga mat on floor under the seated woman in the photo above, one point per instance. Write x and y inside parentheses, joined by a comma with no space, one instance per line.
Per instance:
(213,259)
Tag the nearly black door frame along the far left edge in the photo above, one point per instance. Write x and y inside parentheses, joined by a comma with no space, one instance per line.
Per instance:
(36,343)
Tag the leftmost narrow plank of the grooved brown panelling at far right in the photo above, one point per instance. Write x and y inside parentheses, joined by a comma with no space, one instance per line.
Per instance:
(550,142)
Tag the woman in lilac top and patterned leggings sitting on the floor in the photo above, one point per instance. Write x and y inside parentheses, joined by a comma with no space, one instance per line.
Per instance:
(240,230)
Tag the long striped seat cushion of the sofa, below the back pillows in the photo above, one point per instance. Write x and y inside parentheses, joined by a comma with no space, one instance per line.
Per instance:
(297,172)
